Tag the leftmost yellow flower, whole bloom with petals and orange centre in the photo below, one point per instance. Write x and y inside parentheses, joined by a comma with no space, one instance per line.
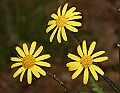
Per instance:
(30,60)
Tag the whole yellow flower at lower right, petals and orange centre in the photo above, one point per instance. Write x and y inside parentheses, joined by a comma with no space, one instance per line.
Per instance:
(85,61)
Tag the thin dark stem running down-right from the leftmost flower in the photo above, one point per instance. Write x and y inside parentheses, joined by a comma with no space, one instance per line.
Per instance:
(60,82)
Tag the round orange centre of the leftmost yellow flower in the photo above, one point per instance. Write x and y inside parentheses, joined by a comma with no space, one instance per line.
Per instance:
(28,61)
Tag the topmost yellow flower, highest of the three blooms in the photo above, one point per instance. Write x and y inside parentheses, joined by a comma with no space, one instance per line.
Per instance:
(61,20)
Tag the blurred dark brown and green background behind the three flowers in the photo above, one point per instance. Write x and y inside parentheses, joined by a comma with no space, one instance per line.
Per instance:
(26,21)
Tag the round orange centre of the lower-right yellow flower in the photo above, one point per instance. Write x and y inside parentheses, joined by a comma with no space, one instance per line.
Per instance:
(86,61)
